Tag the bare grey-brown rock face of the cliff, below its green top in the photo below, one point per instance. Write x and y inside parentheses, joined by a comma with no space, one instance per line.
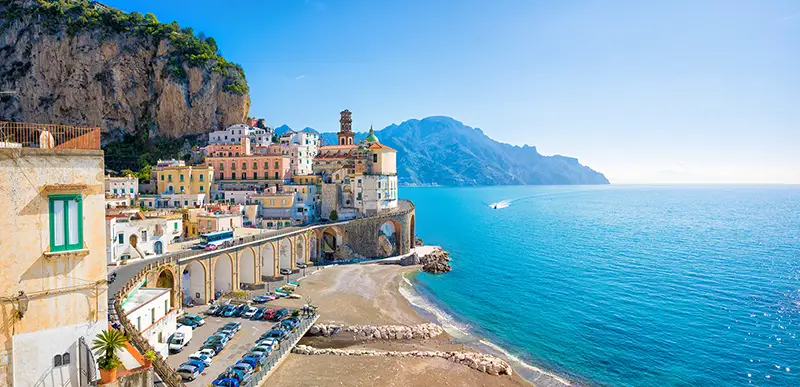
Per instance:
(116,81)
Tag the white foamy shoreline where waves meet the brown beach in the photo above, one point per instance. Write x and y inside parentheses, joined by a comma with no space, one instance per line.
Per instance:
(427,308)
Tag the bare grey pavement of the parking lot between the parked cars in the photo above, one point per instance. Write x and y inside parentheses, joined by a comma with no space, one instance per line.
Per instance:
(240,344)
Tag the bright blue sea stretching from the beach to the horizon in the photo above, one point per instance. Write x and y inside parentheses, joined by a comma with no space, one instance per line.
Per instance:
(629,285)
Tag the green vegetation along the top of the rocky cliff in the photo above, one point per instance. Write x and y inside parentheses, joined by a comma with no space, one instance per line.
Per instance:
(77,16)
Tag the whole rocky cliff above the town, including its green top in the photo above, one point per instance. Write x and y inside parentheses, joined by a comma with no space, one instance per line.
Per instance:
(82,63)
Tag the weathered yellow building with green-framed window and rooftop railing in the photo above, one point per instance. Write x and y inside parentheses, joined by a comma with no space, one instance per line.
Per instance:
(53,291)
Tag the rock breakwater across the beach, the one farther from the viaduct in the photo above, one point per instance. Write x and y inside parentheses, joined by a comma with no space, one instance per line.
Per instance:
(477,361)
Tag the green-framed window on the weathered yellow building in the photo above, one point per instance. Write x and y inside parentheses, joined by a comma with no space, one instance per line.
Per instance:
(66,222)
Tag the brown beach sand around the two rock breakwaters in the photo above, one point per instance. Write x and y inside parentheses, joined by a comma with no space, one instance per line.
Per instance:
(369,294)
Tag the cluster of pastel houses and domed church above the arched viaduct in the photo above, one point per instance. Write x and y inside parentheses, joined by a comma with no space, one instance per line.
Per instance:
(250,178)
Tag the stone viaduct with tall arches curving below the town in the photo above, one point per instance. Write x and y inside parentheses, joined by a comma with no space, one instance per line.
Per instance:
(198,275)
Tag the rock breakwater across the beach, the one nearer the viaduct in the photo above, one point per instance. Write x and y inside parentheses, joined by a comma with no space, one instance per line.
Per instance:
(379,332)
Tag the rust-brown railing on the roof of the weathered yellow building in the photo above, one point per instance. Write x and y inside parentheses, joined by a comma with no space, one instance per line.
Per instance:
(48,136)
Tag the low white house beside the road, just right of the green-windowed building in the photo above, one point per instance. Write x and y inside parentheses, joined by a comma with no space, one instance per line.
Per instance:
(131,237)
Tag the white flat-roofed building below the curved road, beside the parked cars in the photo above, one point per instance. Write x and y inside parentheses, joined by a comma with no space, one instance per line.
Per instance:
(151,312)
